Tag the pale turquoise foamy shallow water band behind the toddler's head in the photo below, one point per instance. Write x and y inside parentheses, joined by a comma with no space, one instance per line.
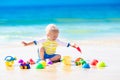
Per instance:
(70,31)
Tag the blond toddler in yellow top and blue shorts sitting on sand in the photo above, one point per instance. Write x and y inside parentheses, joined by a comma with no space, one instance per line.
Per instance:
(49,45)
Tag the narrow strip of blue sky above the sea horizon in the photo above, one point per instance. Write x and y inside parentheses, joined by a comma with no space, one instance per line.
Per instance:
(54,2)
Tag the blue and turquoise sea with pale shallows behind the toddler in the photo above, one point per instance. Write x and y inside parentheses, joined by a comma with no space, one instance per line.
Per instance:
(76,22)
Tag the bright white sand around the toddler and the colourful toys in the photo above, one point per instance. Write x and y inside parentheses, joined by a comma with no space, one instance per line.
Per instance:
(107,50)
